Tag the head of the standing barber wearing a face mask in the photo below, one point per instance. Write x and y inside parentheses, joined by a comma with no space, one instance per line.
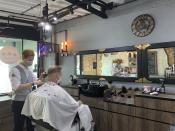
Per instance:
(27,57)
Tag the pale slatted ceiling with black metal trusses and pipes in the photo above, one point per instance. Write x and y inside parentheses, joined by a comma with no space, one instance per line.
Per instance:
(29,12)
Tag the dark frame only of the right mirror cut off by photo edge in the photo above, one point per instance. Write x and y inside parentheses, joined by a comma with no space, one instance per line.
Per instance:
(145,61)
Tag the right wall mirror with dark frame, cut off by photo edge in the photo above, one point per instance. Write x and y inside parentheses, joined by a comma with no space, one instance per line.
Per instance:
(161,61)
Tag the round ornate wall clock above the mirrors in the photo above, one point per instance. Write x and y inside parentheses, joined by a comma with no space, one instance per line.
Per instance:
(143,25)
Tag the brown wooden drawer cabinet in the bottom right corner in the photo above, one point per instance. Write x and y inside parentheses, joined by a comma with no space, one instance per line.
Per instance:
(154,113)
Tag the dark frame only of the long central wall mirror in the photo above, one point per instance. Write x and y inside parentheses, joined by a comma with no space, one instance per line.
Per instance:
(111,78)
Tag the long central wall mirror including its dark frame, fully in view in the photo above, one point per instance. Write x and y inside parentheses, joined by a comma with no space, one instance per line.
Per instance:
(114,64)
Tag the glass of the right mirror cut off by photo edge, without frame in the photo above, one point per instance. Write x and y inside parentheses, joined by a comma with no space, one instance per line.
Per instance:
(161,62)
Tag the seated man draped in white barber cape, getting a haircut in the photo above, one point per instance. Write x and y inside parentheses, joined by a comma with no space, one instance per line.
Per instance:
(52,104)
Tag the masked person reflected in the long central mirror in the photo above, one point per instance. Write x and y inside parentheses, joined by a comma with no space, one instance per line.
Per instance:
(116,67)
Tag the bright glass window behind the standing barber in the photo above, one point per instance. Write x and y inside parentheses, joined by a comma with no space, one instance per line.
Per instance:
(5,85)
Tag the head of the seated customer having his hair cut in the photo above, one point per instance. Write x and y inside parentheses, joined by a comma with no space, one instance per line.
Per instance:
(54,74)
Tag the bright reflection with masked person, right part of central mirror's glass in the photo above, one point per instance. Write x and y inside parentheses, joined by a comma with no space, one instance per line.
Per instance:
(120,64)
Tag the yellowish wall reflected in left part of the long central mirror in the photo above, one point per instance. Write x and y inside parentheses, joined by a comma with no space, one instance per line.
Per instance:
(89,64)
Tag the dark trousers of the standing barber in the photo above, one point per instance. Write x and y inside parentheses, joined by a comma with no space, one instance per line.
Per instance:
(19,119)
